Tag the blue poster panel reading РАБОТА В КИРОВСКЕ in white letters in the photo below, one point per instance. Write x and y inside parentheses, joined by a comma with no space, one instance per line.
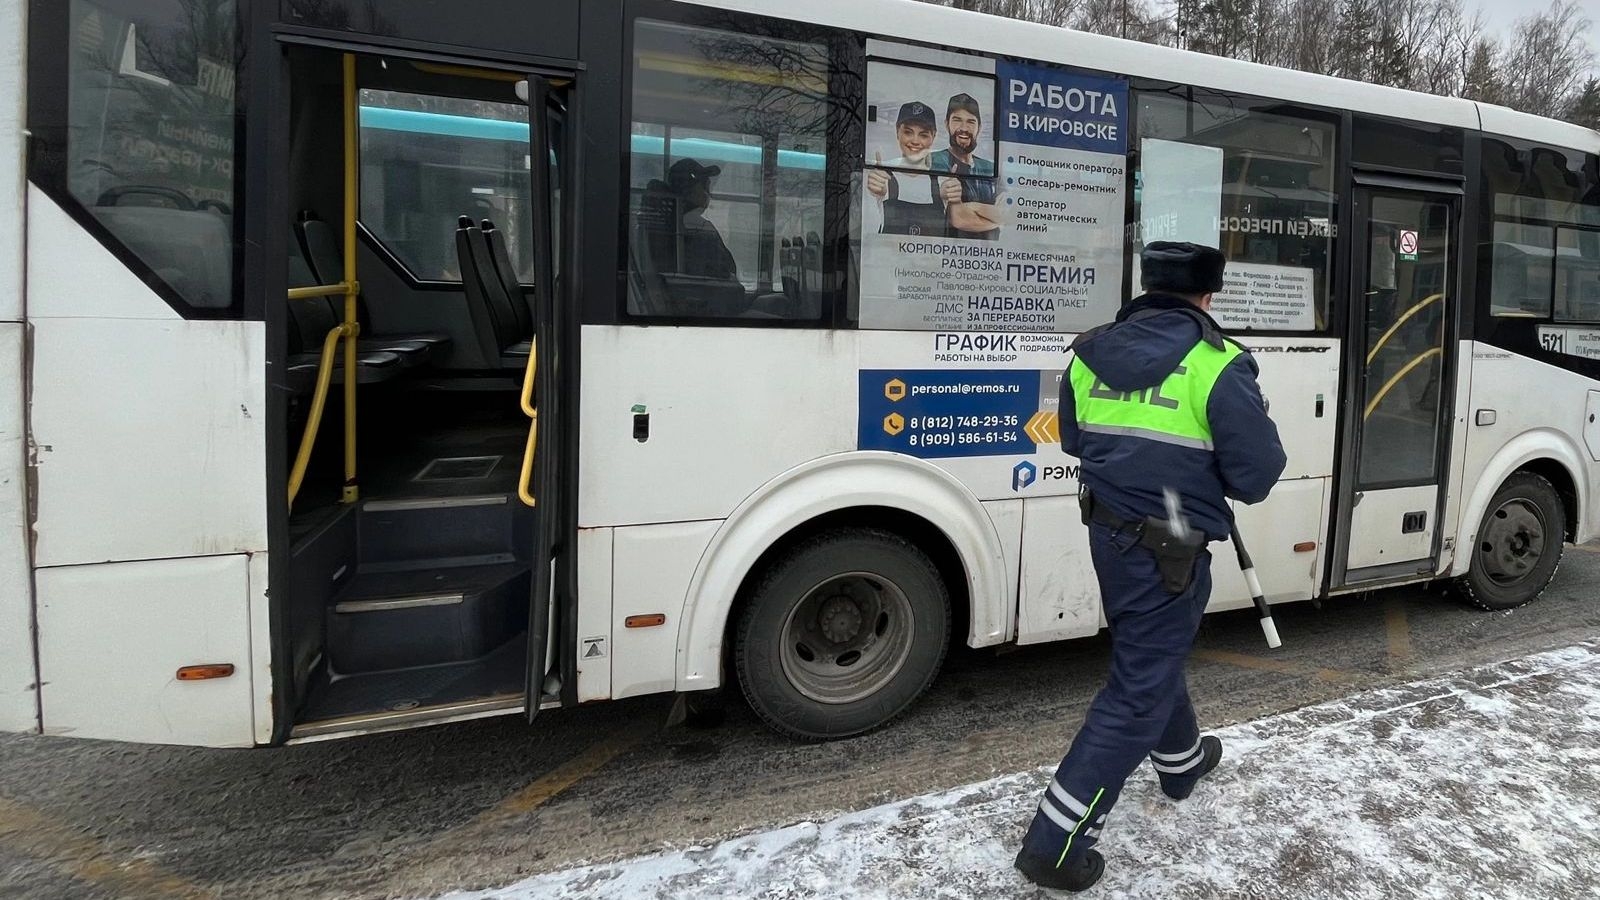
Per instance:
(1054,108)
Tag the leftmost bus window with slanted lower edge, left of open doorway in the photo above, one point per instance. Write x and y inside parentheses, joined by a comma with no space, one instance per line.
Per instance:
(151,135)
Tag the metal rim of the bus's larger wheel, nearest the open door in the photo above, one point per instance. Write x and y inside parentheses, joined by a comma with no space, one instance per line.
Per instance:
(847,638)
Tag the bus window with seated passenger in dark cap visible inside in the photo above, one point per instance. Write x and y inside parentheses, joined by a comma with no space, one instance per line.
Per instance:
(727,175)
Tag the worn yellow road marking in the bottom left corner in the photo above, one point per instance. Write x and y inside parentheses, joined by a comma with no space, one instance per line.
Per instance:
(87,859)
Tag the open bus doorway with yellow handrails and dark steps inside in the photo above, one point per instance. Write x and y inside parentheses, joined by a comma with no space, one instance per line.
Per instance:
(425,592)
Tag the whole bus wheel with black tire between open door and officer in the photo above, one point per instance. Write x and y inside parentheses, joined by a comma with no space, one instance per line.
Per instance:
(842,633)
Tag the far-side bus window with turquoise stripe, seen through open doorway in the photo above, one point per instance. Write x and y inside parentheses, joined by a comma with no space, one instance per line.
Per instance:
(430,159)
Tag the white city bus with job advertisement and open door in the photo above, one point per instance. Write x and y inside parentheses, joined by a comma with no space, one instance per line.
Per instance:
(377,366)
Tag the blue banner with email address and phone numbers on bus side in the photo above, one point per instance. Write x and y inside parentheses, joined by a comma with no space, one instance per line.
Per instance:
(934,414)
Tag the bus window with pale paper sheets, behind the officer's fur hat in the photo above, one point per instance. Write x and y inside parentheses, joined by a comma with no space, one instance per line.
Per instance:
(1258,185)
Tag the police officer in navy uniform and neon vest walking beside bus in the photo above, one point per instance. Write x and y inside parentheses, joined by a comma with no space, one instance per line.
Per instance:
(1158,400)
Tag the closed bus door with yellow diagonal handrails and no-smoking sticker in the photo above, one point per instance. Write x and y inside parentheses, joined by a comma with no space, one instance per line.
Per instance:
(1401,398)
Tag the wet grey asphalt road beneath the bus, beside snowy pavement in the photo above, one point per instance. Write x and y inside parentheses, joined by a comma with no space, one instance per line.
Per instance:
(484,805)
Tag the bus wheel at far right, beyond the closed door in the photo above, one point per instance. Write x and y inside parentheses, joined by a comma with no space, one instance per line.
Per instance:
(1519,545)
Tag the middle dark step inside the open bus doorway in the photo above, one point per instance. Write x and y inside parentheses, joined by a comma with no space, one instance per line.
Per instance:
(399,621)
